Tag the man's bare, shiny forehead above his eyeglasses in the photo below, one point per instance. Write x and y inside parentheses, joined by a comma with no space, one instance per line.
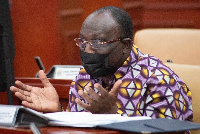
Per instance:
(100,26)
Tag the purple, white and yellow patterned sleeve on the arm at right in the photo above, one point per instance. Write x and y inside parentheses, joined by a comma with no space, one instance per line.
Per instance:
(161,94)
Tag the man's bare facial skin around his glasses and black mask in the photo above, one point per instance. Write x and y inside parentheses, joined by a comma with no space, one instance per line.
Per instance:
(103,27)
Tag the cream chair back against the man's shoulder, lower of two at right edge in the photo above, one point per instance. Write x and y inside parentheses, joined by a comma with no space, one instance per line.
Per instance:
(190,74)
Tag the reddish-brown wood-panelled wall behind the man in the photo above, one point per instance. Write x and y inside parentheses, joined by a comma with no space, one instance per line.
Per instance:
(47,28)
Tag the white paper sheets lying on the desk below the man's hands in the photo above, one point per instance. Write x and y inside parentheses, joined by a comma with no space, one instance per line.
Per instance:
(86,119)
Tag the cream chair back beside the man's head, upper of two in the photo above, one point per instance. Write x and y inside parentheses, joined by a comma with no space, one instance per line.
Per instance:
(173,44)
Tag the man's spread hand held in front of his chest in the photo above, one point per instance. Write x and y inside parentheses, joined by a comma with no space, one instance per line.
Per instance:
(105,103)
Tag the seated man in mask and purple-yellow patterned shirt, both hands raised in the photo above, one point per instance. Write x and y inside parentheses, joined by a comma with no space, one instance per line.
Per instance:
(116,78)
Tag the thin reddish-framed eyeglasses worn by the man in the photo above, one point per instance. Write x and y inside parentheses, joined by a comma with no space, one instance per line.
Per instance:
(95,44)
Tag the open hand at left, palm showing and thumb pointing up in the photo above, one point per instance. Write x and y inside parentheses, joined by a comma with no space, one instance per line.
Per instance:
(41,99)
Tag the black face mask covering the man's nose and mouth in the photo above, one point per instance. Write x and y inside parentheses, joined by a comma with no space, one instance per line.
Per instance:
(96,65)
